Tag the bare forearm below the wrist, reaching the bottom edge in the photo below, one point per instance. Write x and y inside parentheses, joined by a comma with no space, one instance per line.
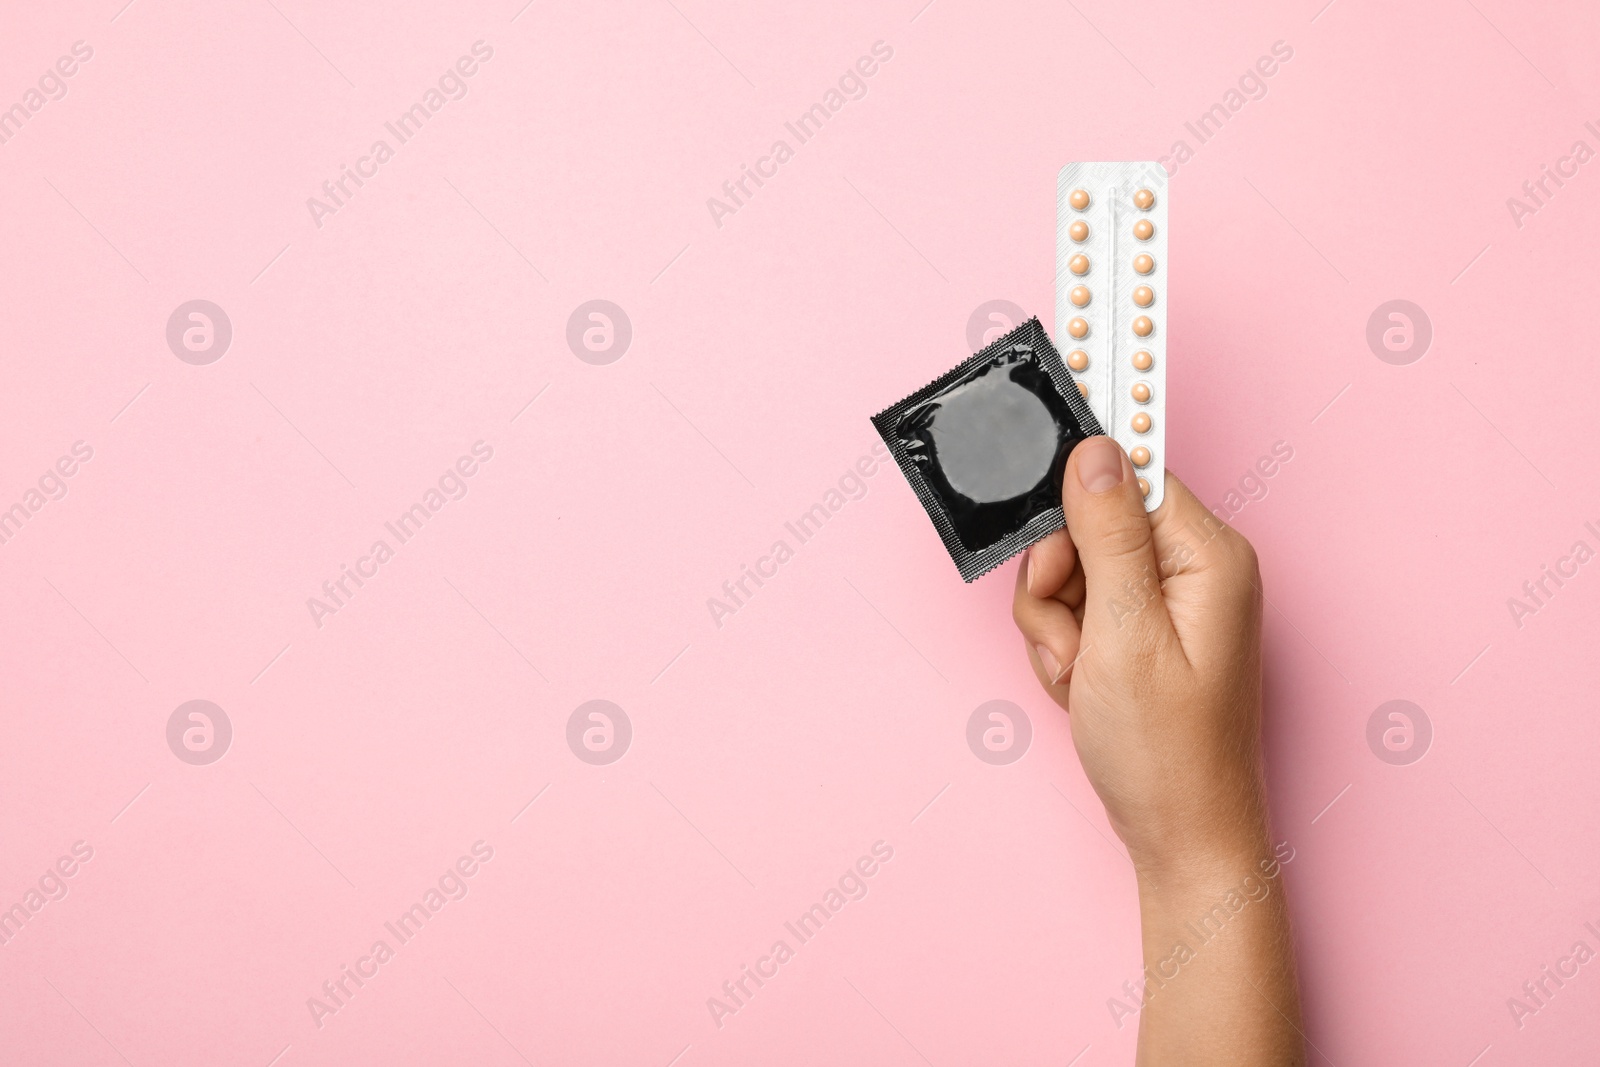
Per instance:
(1218,964)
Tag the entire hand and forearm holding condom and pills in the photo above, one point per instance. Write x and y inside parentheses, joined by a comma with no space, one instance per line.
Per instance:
(1148,631)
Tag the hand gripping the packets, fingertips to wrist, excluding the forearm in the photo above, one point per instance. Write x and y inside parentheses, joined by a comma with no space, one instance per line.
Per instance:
(1148,631)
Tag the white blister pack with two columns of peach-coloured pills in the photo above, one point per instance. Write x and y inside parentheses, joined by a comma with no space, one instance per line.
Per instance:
(1111,303)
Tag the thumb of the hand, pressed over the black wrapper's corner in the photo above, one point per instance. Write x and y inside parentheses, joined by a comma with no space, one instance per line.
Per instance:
(1105,510)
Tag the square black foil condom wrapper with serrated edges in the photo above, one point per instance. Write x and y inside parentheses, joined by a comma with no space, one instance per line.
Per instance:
(985,447)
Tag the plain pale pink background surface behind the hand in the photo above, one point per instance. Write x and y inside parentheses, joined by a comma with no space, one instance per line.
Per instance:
(770,753)
